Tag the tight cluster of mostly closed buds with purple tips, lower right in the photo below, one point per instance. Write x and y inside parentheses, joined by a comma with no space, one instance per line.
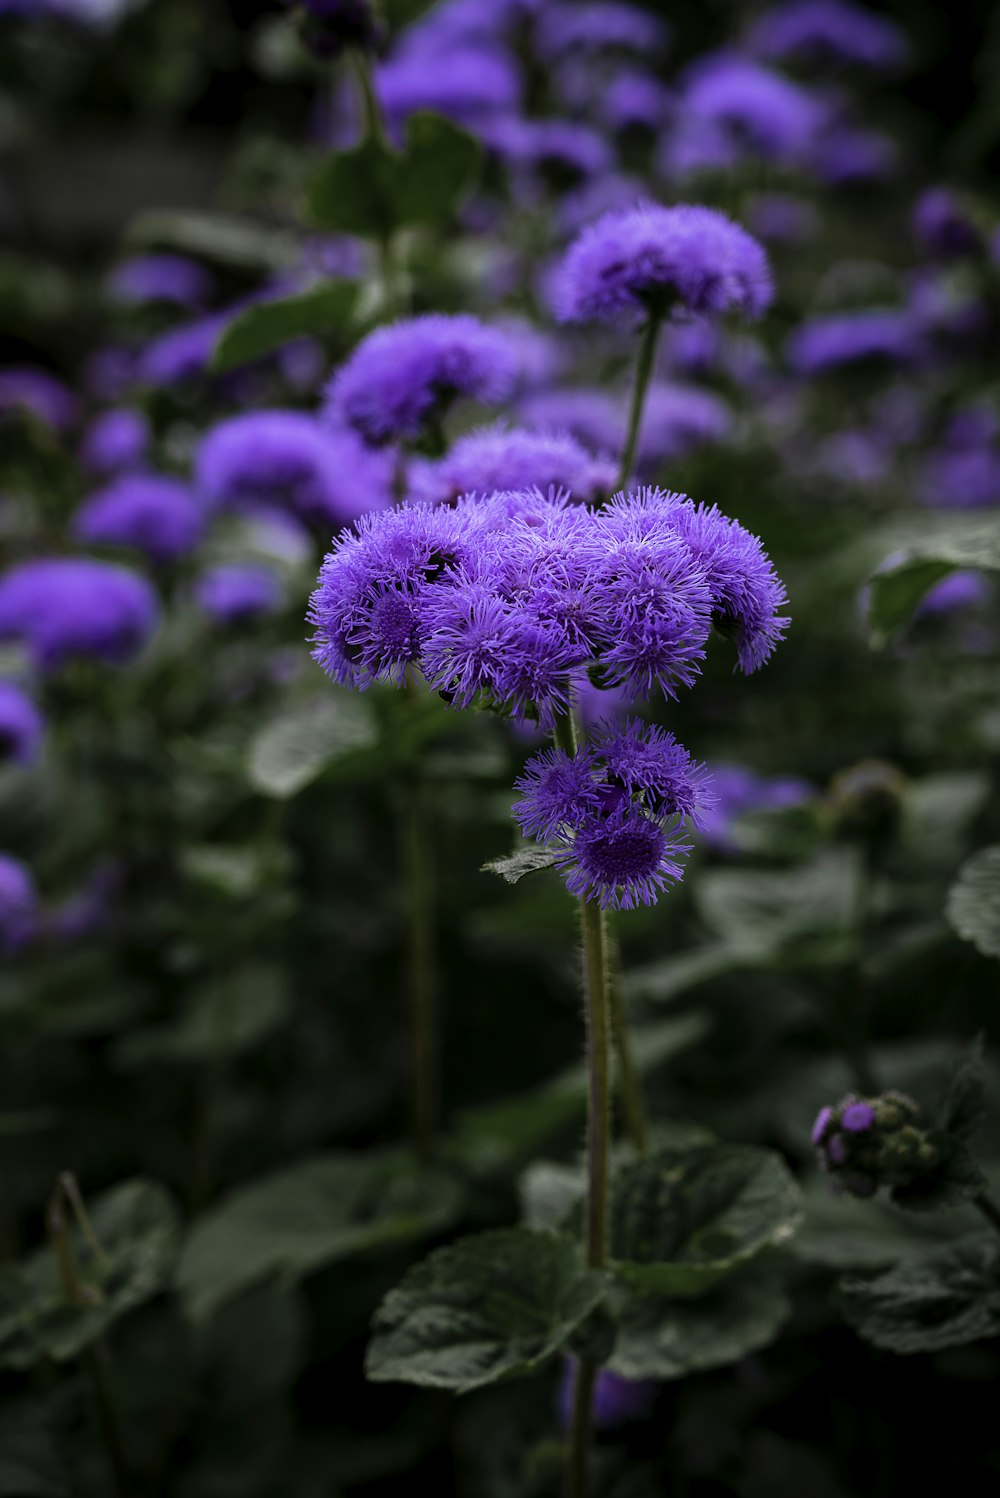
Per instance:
(866,1144)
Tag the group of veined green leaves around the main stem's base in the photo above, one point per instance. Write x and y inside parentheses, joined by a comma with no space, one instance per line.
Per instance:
(680,1291)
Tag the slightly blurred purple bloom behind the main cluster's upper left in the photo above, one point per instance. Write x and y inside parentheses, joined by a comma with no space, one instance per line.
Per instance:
(402,378)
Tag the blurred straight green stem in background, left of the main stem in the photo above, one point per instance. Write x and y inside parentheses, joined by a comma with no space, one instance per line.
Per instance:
(420,962)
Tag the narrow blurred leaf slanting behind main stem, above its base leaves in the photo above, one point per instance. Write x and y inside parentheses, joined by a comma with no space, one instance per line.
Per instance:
(514,1129)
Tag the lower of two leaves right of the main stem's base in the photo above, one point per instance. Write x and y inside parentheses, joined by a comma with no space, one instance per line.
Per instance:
(665,1338)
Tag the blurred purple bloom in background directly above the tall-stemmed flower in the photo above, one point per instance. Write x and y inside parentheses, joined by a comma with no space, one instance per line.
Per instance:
(733,107)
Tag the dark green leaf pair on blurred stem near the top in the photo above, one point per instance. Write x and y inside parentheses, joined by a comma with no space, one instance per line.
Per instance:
(374,191)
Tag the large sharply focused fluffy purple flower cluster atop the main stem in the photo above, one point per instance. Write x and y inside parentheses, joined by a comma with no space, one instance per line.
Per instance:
(517,598)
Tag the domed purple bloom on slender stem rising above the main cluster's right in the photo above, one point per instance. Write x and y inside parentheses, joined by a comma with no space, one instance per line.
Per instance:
(652,260)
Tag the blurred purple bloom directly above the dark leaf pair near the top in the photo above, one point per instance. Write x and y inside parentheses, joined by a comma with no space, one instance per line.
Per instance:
(468,83)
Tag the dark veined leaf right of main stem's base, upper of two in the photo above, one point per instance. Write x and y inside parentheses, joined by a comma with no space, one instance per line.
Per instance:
(683,1220)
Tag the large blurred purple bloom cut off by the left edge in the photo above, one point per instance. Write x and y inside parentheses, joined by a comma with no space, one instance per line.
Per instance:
(65,607)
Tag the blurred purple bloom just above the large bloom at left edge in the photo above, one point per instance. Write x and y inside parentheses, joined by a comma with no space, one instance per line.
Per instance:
(153,515)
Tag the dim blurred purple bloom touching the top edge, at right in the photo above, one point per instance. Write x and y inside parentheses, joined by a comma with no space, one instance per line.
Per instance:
(830,32)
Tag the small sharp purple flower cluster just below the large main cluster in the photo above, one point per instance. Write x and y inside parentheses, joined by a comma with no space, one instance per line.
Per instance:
(613,813)
